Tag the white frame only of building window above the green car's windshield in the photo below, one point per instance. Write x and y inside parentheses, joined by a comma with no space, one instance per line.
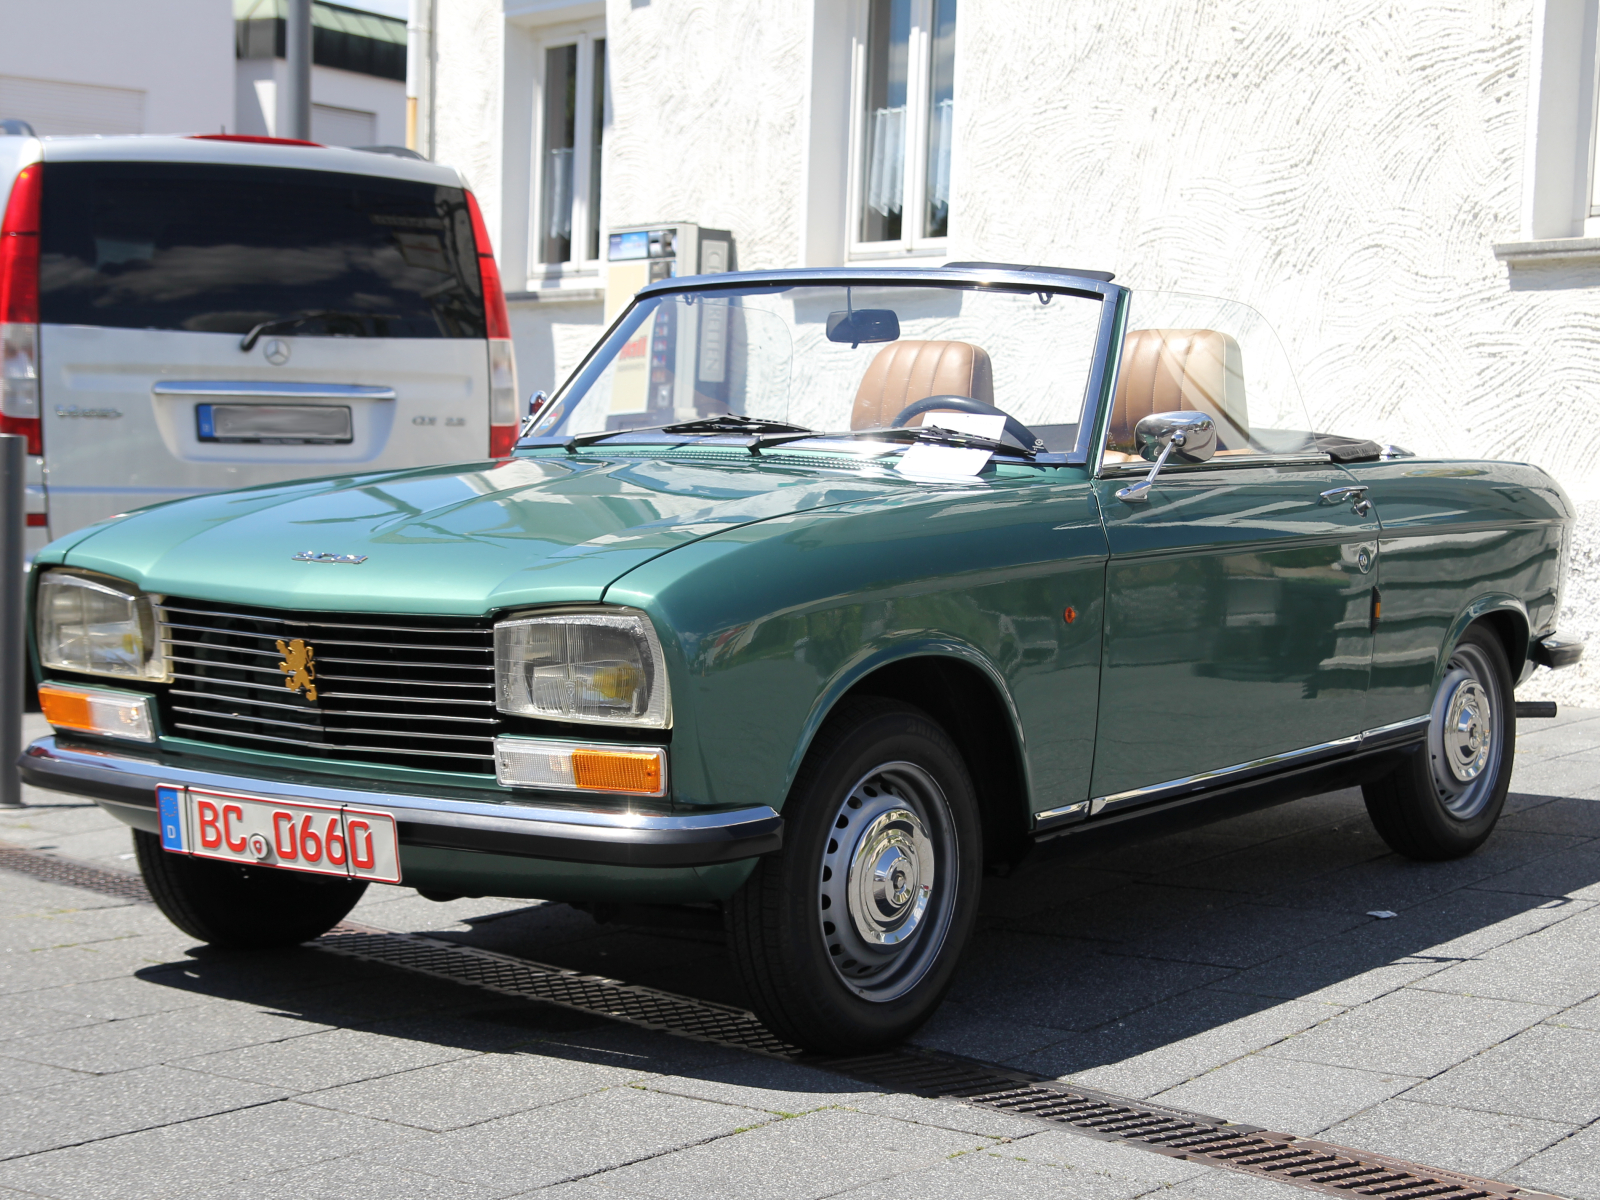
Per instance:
(916,169)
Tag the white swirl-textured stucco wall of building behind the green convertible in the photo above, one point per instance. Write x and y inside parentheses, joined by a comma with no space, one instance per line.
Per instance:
(1345,167)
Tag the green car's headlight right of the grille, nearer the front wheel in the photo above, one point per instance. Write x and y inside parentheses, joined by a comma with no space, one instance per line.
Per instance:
(601,665)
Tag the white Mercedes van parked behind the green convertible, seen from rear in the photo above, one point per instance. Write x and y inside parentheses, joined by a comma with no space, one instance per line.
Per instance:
(190,314)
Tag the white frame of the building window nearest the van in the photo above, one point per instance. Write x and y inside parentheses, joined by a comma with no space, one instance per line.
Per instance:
(583,36)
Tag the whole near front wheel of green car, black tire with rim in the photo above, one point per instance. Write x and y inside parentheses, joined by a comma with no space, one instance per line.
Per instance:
(884,786)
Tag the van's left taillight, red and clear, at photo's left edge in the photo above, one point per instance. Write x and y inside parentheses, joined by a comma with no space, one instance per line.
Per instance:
(20,311)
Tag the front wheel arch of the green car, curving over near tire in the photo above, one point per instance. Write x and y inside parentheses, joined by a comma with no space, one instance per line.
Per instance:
(970,700)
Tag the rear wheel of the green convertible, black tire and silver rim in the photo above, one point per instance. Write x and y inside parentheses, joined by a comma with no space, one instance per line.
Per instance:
(1444,801)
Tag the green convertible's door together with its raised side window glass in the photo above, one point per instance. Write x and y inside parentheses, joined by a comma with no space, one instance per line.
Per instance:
(1239,596)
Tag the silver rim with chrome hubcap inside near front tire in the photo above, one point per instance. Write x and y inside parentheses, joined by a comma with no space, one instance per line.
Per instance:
(887,882)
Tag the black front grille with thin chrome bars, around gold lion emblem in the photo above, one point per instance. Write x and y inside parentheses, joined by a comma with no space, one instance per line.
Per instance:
(402,690)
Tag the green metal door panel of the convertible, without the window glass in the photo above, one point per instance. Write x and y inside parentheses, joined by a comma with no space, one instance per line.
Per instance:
(1238,622)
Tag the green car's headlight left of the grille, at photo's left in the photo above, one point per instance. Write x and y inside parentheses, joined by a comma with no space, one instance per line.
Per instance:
(98,626)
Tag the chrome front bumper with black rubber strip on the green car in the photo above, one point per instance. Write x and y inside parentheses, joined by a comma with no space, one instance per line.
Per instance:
(126,786)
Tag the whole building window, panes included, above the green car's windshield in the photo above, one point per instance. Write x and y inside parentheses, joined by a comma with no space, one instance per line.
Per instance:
(906,87)
